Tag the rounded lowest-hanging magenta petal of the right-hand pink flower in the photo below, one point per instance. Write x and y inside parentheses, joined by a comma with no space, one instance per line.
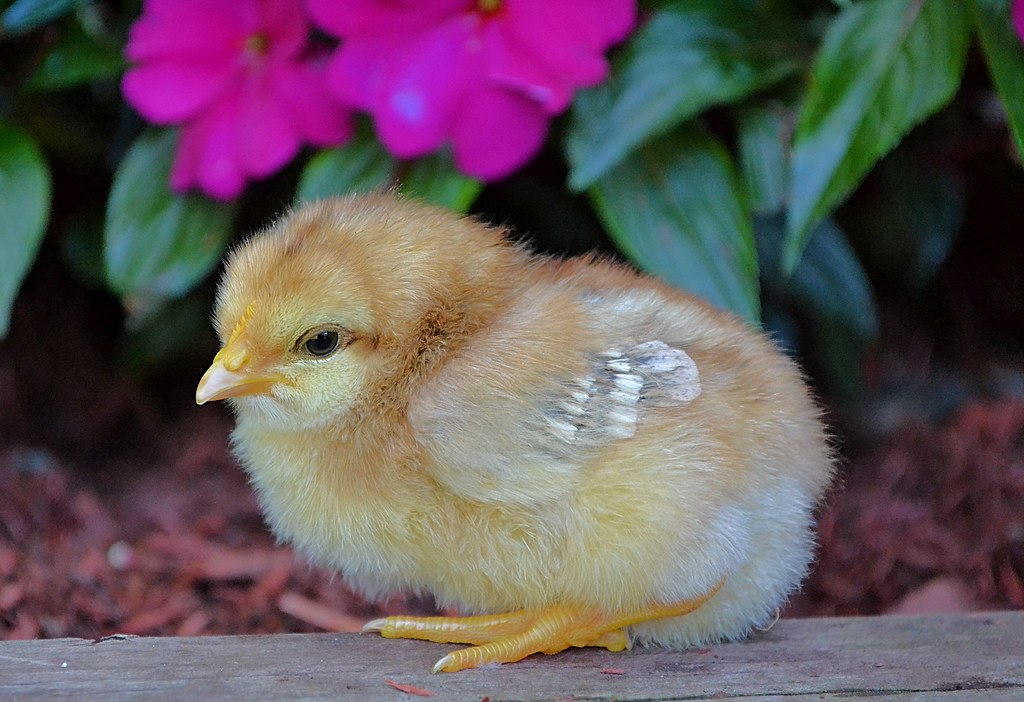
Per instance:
(497,133)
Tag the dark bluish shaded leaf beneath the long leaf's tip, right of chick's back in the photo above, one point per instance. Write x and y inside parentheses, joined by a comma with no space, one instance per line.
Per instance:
(829,281)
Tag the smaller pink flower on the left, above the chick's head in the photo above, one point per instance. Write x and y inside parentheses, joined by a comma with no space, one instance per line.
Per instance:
(233,73)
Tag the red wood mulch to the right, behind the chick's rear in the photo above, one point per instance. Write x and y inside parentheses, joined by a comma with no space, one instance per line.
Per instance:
(934,520)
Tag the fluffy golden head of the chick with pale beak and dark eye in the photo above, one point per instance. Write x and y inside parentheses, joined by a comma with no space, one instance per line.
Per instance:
(337,305)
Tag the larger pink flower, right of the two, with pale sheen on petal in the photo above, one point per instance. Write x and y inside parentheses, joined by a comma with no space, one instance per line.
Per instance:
(485,75)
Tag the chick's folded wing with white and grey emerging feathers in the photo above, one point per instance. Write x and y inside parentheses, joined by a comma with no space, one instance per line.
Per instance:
(514,416)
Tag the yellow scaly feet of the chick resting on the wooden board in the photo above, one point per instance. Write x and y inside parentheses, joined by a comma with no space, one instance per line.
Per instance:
(513,637)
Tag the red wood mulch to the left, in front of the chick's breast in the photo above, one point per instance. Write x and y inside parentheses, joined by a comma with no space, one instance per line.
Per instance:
(180,551)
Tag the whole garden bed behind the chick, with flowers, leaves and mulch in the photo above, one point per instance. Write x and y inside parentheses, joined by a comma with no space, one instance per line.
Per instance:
(846,174)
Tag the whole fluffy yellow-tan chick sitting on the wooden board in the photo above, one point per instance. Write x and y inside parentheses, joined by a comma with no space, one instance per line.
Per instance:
(577,455)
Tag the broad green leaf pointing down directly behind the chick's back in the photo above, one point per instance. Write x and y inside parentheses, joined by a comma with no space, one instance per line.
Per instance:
(677,208)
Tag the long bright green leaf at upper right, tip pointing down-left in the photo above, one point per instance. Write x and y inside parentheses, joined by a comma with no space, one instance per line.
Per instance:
(884,67)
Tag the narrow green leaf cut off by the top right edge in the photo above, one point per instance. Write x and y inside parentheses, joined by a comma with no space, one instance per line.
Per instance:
(1005,55)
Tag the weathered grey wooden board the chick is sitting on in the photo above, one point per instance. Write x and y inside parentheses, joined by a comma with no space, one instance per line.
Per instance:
(957,657)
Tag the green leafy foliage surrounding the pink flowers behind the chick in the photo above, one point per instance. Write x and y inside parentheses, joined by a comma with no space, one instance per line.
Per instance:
(721,155)
